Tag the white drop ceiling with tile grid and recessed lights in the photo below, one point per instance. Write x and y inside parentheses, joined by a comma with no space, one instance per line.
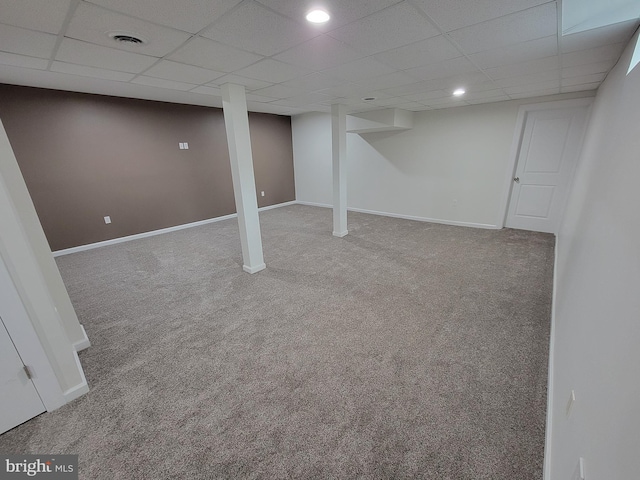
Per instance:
(407,54)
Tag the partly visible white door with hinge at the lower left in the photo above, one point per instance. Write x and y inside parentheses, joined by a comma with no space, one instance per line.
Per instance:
(19,400)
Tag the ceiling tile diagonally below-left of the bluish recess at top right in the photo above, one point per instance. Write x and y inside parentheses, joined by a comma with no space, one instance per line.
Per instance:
(518,52)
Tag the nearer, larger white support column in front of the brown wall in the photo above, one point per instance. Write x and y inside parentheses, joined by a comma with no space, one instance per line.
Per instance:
(236,120)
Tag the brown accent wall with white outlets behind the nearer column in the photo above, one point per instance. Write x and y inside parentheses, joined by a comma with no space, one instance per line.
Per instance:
(84,157)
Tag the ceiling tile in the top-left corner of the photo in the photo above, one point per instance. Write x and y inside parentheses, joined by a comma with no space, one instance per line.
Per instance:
(44,16)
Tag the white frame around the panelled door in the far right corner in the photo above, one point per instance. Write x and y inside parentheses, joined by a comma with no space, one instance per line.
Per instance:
(518,134)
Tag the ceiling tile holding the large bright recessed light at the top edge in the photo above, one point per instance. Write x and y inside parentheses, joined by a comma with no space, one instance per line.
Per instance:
(342,12)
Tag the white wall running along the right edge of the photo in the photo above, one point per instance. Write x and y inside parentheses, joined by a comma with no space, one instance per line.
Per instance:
(597,310)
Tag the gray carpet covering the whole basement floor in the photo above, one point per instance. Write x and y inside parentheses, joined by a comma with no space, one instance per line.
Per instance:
(404,350)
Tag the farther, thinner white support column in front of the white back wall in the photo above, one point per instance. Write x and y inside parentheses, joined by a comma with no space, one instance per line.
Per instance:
(339,153)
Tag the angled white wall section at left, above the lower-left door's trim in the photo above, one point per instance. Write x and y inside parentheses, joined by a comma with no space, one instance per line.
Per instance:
(23,247)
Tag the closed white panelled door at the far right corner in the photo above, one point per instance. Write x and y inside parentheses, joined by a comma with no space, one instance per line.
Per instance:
(549,148)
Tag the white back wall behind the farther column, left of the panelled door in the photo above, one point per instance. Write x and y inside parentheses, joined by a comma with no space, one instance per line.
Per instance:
(451,167)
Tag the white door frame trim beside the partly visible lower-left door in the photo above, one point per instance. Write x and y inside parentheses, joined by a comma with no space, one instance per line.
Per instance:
(16,320)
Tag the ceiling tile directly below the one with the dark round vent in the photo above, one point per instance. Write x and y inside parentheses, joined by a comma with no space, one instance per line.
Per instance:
(82,53)
